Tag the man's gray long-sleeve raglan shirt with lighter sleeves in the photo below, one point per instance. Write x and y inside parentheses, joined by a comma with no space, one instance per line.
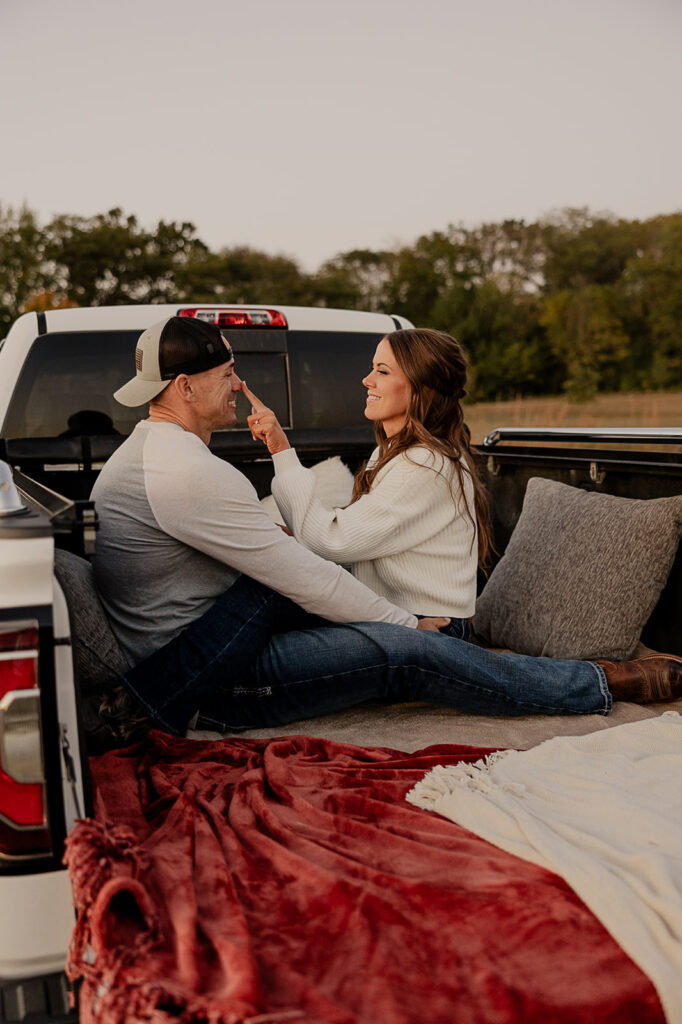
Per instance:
(179,526)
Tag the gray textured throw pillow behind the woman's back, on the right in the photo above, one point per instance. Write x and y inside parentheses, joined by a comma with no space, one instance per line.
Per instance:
(582,574)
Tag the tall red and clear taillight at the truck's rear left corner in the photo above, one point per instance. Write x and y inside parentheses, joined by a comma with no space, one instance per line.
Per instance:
(23,824)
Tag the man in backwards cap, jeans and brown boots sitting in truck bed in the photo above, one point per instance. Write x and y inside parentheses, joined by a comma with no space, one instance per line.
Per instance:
(216,608)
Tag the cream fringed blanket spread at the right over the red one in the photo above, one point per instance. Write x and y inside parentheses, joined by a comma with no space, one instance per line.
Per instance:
(604,812)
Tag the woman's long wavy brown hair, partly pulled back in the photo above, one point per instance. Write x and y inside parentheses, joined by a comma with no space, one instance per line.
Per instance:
(437,369)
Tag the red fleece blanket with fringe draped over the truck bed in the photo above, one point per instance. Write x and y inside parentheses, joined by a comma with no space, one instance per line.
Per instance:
(257,881)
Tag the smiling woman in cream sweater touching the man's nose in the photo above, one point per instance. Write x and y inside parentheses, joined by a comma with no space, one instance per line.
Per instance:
(418,524)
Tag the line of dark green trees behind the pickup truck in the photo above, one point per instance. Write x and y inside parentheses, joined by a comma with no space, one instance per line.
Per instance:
(576,304)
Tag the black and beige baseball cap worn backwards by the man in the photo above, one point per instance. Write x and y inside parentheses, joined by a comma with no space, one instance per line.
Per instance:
(177,346)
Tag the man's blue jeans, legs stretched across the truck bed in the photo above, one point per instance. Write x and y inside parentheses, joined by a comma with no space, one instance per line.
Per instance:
(257,660)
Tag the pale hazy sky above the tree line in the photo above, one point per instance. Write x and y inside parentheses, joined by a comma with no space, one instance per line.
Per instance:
(310,127)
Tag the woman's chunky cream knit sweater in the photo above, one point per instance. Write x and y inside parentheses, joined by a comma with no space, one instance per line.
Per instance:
(410,539)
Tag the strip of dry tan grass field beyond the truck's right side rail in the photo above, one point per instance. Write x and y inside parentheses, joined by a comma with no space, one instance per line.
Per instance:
(660,409)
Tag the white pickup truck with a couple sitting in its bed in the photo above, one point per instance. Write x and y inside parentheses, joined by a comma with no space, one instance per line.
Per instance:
(59,423)
